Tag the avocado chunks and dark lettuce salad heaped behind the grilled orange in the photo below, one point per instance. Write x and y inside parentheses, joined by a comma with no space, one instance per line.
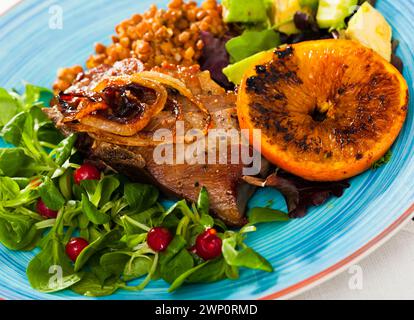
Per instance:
(257,26)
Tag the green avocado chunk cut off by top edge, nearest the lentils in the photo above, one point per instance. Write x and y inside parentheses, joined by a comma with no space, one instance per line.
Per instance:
(245,11)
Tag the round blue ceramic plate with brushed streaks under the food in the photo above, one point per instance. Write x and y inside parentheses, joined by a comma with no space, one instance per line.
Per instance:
(303,252)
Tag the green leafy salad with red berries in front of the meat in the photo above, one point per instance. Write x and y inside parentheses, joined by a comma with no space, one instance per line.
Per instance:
(97,231)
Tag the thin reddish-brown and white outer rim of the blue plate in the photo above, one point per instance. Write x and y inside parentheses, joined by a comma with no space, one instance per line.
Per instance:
(330,272)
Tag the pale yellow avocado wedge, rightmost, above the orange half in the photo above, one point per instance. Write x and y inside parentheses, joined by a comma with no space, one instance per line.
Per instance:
(369,27)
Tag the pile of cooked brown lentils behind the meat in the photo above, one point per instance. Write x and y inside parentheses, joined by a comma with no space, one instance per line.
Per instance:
(155,37)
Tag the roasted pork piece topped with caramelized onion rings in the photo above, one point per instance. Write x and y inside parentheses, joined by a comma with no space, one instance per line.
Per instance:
(117,110)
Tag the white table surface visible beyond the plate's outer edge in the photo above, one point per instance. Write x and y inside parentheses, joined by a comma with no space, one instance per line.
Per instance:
(388,273)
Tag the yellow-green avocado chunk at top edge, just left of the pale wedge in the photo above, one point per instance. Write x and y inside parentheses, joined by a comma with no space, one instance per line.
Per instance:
(332,13)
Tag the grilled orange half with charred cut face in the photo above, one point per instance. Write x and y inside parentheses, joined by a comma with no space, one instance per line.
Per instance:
(327,109)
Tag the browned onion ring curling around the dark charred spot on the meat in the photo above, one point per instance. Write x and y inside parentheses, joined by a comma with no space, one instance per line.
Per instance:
(140,122)
